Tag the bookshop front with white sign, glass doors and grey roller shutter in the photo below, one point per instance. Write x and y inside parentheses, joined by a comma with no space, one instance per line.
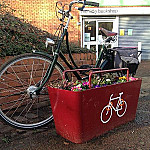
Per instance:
(132,23)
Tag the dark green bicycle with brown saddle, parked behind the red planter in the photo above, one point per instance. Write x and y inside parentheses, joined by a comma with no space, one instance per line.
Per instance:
(24,99)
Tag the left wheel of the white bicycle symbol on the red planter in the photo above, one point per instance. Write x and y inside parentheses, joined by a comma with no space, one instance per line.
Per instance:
(106,114)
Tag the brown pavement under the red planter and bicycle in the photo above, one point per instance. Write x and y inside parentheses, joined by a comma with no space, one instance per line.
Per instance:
(134,135)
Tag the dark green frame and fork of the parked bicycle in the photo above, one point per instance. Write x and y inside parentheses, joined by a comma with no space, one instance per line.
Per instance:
(58,53)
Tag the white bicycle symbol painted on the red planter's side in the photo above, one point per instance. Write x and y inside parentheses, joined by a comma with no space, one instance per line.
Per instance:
(120,108)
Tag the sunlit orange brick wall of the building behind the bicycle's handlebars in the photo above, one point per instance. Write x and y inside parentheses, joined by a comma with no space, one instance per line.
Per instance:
(41,13)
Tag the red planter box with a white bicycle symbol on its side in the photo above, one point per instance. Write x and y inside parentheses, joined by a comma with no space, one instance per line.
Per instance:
(80,116)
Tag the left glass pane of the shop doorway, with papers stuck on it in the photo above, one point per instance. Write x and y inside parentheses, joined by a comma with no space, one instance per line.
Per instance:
(90,31)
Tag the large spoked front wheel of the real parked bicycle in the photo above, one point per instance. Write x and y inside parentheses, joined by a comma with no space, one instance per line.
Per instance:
(18,77)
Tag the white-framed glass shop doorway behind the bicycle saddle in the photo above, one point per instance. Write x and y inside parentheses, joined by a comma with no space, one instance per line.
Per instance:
(92,38)
